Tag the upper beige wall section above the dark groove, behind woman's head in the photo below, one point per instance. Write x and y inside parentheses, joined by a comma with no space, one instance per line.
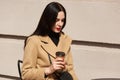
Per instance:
(89,20)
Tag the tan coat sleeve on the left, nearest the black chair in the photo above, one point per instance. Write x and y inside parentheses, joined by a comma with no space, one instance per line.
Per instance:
(30,69)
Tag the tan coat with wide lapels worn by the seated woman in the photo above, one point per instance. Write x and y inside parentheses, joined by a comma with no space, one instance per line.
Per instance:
(36,59)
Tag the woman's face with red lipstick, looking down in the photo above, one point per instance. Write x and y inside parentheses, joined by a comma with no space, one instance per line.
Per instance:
(59,22)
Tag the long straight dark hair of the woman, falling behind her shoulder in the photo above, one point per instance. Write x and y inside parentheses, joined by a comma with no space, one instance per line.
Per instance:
(48,19)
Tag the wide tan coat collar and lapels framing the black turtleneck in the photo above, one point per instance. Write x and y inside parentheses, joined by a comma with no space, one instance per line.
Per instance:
(51,48)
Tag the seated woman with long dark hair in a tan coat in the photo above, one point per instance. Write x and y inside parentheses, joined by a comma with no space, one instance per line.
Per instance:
(39,61)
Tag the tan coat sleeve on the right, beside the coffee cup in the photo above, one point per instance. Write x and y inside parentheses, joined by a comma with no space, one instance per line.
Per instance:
(70,66)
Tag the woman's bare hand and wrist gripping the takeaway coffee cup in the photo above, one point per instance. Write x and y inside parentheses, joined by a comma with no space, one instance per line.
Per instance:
(58,64)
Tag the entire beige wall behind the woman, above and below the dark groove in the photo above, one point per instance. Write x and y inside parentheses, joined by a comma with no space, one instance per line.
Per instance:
(88,20)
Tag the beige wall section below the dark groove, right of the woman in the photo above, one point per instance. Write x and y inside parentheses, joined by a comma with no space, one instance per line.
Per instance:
(96,62)
